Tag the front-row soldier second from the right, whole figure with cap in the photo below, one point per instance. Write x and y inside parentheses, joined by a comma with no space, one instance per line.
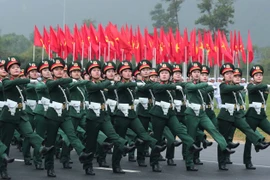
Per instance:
(232,113)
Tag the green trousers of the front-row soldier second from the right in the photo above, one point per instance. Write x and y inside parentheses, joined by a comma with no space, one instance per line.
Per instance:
(225,128)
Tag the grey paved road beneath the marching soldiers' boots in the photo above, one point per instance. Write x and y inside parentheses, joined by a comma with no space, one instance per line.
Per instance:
(208,171)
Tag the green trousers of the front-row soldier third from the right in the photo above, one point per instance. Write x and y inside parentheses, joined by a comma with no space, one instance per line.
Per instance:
(193,123)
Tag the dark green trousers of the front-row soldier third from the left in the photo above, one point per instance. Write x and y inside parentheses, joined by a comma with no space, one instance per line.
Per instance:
(92,131)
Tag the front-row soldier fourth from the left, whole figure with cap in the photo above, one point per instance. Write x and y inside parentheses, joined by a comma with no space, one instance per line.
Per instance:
(126,117)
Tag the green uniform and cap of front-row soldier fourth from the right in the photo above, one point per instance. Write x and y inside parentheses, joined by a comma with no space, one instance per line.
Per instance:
(163,114)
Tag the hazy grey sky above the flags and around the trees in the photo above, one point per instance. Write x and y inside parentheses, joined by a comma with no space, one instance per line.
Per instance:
(20,16)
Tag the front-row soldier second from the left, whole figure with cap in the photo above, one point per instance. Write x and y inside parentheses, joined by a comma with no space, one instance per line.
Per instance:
(56,115)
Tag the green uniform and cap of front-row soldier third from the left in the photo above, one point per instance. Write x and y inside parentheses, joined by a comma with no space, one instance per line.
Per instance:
(97,117)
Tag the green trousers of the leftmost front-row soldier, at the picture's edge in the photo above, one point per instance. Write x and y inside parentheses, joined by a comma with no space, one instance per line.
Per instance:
(25,128)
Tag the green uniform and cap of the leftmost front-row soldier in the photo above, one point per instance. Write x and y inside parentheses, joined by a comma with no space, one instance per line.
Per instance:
(13,115)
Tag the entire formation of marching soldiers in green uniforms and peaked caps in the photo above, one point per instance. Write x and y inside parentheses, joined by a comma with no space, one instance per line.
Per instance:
(50,108)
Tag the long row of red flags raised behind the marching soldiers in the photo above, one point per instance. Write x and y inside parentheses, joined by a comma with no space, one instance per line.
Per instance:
(111,43)
